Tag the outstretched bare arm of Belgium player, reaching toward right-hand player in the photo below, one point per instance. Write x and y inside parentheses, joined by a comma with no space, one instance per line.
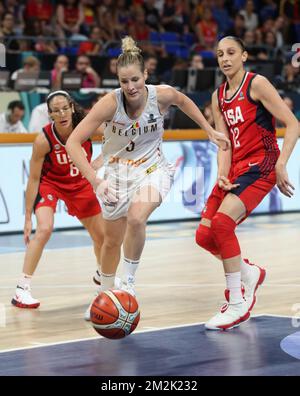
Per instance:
(168,96)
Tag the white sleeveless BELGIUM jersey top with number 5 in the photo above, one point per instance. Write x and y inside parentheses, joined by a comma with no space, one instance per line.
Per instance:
(138,142)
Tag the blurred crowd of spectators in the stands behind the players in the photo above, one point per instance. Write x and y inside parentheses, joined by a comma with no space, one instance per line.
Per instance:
(73,44)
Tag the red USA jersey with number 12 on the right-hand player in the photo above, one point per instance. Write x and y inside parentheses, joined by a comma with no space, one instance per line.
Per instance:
(251,126)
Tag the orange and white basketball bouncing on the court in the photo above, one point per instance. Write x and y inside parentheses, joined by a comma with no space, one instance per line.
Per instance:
(115,314)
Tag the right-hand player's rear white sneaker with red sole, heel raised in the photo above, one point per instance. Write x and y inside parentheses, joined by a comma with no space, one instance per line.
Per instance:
(255,277)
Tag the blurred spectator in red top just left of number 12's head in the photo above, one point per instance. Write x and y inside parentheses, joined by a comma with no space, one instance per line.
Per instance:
(207,30)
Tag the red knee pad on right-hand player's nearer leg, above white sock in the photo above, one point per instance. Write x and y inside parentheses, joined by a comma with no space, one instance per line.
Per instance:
(223,230)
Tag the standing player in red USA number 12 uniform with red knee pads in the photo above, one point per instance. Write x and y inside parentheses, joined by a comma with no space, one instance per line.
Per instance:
(244,107)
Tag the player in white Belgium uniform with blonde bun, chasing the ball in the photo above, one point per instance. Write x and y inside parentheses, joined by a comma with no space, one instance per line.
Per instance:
(137,176)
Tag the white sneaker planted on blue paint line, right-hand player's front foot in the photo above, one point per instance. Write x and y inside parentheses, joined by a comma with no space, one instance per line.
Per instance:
(230,315)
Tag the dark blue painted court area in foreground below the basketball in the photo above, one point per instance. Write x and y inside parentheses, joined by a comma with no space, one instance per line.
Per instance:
(252,349)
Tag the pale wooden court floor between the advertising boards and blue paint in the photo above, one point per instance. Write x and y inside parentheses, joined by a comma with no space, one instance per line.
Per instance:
(177,282)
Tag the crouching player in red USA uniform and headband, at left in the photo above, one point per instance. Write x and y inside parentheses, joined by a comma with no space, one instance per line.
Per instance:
(53,176)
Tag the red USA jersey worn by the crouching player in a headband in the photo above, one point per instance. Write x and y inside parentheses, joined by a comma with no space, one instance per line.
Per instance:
(58,169)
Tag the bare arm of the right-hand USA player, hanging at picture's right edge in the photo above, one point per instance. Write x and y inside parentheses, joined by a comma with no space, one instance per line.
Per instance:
(262,90)
